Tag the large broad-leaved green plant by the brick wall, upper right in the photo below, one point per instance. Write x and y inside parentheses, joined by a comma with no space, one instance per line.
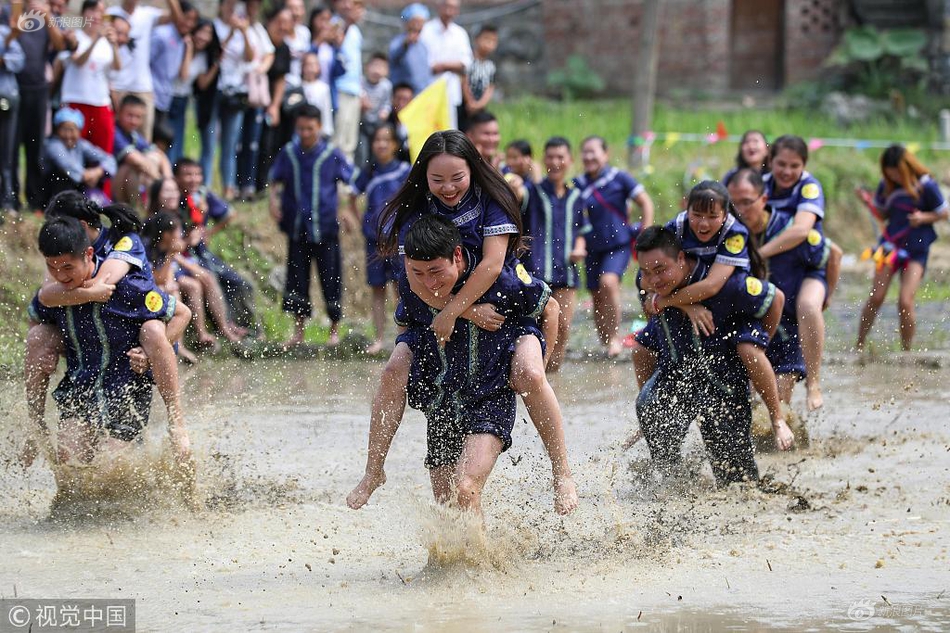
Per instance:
(877,62)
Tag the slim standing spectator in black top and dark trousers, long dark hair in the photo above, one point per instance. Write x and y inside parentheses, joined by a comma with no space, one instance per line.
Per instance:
(280,24)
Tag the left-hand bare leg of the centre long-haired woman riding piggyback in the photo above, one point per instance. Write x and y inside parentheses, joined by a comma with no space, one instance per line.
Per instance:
(389,405)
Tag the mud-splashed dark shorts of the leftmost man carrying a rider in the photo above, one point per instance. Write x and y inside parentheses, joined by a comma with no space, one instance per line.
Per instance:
(122,412)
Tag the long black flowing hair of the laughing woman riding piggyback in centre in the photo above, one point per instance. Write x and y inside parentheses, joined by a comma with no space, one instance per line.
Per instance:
(414,193)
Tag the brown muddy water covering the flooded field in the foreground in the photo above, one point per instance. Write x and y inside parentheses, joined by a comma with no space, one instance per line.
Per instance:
(855,523)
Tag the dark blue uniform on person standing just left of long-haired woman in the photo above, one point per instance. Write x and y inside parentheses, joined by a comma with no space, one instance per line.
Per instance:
(380,183)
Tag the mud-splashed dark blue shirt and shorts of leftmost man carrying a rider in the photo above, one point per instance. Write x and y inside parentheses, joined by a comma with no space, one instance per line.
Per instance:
(99,386)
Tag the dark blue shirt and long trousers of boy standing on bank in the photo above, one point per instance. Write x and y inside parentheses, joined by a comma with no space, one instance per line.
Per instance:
(309,218)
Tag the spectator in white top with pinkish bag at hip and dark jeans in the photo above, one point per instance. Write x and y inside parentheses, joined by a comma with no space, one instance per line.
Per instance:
(249,147)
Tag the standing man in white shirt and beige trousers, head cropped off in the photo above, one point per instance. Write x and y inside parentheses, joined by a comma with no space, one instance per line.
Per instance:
(135,77)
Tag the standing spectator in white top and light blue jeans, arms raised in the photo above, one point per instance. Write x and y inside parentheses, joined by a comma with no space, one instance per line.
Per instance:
(237,53)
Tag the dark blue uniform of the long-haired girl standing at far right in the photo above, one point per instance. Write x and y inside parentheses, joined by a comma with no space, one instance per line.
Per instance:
(912,244)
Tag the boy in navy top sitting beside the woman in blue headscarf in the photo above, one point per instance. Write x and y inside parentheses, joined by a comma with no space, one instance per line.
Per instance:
(139,162)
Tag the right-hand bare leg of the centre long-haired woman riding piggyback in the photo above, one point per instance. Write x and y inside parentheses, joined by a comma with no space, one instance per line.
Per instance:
(528,379)
